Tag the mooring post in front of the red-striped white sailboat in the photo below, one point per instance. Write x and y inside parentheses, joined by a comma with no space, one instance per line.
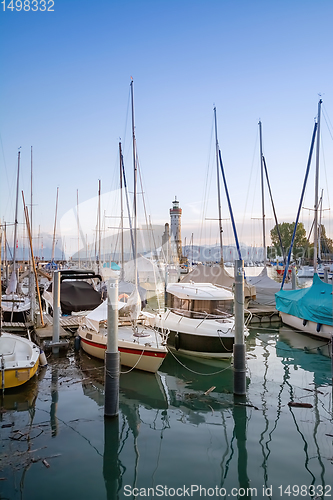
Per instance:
(112,358)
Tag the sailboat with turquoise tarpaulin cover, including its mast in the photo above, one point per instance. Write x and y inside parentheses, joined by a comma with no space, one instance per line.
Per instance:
(309,309)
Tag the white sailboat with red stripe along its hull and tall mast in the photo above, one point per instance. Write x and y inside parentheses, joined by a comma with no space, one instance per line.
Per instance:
(140,345)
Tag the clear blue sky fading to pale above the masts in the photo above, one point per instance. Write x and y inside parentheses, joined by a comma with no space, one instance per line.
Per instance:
(65,91)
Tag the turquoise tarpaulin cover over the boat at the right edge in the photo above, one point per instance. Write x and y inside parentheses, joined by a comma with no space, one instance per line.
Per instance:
(313,303)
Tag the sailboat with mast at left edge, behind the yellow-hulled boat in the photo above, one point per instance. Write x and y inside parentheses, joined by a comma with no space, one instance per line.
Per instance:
(15,306)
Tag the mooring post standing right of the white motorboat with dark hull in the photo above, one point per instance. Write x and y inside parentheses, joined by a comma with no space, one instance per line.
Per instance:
(239,344)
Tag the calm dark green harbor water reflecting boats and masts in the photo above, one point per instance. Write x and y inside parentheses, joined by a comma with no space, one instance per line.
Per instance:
(179,433)
